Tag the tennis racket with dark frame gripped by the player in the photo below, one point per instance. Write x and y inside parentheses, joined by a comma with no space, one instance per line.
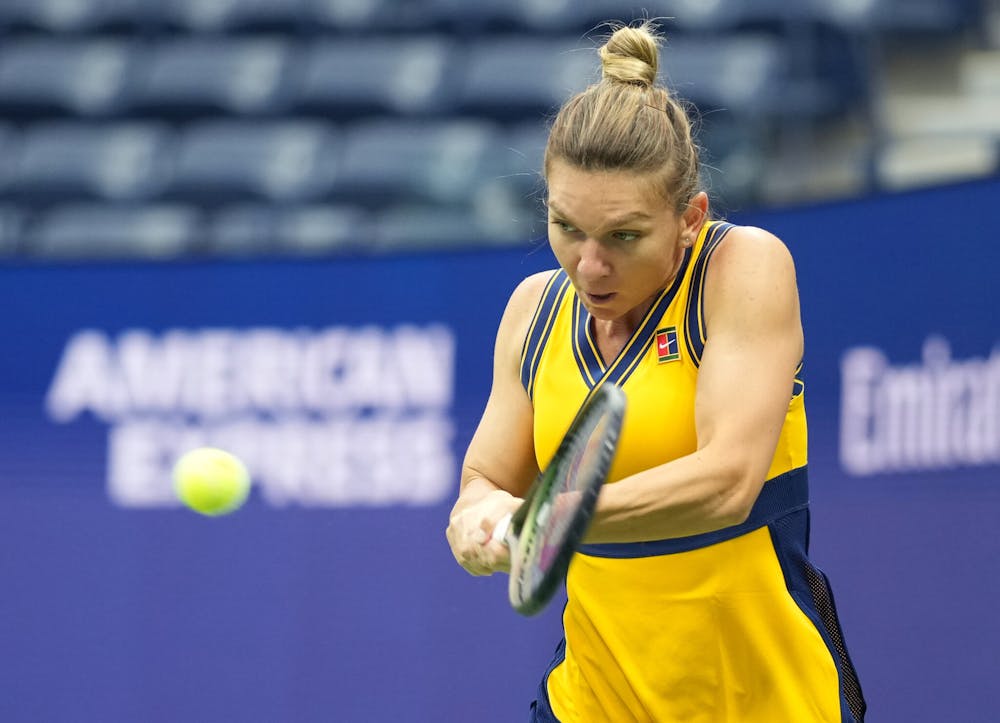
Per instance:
(545,531)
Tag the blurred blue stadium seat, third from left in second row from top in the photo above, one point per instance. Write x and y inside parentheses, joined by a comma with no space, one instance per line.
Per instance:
(346,77)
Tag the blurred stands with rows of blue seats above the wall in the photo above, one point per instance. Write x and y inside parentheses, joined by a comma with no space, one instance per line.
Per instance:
(239,127)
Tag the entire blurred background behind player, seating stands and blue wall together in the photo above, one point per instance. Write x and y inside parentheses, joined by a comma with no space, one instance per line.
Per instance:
(289,228)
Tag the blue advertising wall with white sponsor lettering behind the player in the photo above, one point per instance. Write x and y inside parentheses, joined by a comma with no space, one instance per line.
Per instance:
(351,387)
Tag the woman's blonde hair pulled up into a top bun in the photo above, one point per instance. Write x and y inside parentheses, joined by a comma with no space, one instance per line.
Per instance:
(627,122)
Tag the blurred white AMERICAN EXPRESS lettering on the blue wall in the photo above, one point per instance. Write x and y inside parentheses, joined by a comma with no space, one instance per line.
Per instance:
(329,417)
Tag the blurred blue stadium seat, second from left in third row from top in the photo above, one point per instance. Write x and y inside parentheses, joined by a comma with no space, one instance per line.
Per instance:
(274,160)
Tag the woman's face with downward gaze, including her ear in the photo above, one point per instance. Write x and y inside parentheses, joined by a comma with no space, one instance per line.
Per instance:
(618,240)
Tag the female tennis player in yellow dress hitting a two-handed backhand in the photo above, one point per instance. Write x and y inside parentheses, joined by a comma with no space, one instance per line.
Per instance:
(692,598)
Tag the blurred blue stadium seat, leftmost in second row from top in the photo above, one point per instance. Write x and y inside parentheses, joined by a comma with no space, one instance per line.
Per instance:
(44,77)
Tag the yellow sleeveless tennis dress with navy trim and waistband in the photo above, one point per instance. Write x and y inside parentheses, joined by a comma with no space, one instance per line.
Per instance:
(734,625)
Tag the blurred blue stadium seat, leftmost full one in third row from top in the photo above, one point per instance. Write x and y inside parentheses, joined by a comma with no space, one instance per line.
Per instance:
(67,160)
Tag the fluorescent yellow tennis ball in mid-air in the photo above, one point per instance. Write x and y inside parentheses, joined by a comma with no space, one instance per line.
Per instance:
(211,481)
